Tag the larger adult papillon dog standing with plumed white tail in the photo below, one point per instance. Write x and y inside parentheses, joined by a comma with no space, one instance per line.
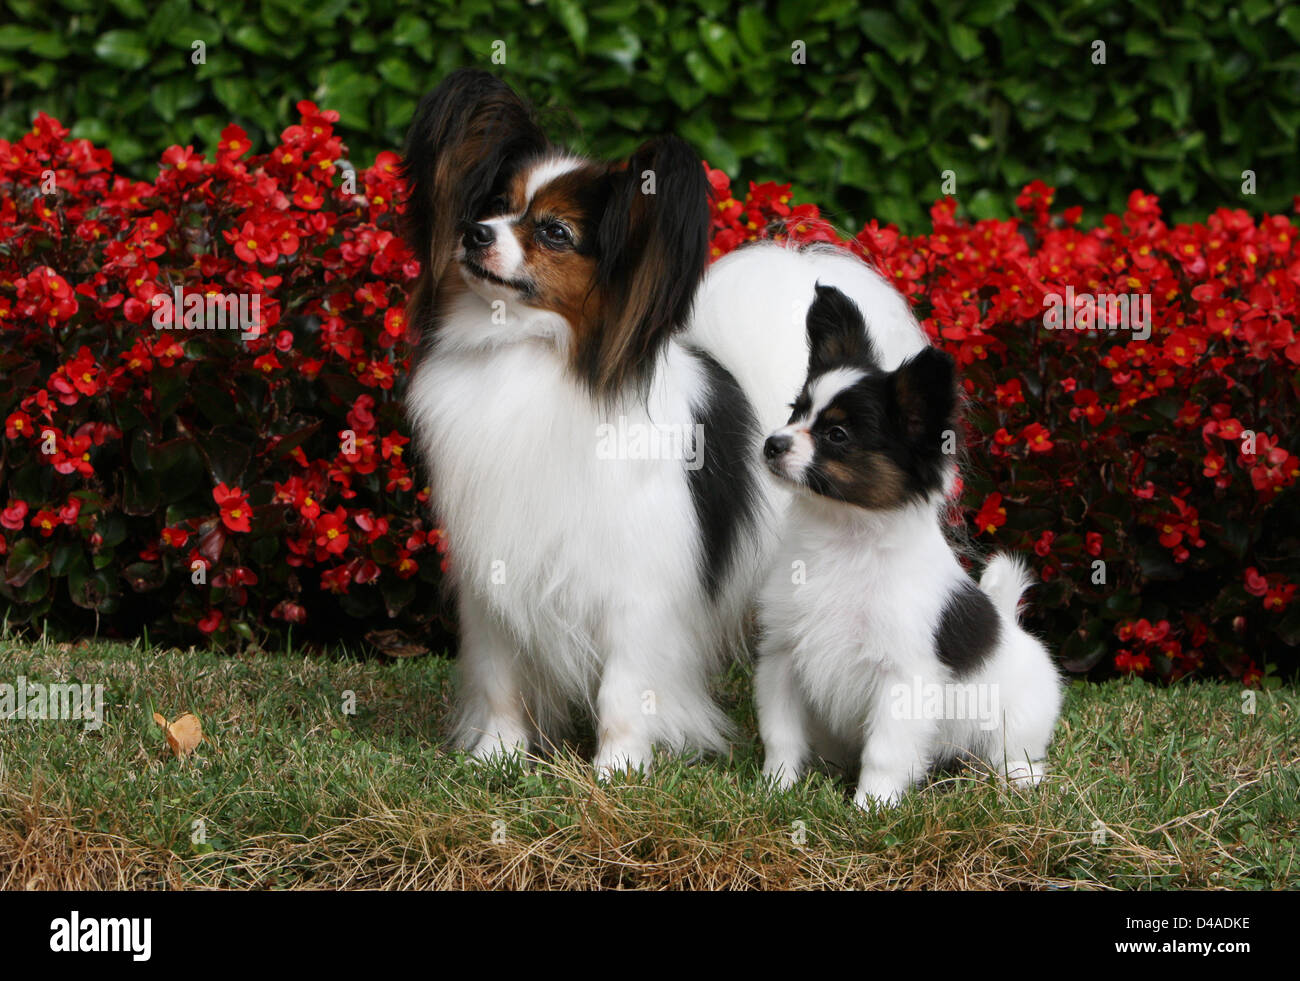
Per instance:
(591,410)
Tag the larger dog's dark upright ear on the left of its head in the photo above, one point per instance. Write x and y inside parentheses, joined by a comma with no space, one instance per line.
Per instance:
(466,137)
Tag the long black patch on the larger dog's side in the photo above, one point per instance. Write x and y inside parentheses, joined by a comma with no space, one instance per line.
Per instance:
(725,489)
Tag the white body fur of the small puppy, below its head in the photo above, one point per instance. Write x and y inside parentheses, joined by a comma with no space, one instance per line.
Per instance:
(848,617)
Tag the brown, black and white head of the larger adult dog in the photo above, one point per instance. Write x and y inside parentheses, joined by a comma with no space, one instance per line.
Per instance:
(547,232)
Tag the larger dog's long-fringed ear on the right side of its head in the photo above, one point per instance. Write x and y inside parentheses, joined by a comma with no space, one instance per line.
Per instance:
(653,248)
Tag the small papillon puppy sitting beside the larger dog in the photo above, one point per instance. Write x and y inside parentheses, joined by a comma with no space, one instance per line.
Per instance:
(878,649)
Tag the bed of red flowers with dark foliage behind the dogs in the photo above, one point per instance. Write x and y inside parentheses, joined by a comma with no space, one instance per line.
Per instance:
(181,463)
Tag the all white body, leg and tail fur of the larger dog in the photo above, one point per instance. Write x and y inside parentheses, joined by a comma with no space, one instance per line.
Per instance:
(586,589)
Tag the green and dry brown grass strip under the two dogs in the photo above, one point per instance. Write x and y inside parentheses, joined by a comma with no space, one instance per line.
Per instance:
(1152,789)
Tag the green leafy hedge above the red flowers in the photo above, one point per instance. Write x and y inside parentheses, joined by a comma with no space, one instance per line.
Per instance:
(1000,94)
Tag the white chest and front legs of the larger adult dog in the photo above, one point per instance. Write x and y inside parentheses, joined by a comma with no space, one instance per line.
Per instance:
(574,537)
